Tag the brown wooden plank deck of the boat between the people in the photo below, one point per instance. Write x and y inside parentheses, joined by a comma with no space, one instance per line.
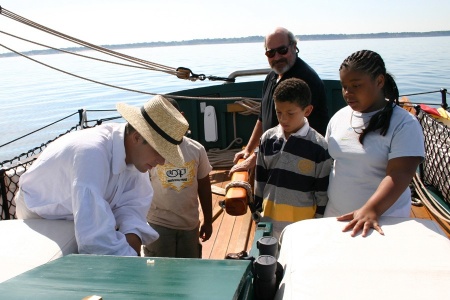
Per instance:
(234,234)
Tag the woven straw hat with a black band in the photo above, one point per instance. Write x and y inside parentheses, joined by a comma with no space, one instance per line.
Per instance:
(160,124)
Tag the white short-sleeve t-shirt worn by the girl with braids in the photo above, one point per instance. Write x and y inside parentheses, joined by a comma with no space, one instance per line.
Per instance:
(358,169)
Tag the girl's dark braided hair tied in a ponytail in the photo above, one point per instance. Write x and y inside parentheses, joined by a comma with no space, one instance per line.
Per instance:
(371,63)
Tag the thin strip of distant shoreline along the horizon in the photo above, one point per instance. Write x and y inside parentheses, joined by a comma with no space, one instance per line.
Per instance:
(249,39)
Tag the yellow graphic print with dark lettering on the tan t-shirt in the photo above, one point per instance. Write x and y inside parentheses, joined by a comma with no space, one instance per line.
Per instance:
(177,178)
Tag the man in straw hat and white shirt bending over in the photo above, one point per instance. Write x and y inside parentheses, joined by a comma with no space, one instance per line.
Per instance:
(98,178)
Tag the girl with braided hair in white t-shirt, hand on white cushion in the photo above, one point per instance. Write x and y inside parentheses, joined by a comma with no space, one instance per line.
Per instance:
(376,147)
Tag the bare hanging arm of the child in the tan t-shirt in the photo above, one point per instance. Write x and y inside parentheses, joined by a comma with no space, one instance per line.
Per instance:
(205,197)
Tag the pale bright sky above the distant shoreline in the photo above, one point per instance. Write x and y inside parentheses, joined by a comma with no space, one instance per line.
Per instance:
(104,22)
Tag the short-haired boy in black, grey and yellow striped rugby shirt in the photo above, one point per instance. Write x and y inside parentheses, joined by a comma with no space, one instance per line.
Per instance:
(293,164)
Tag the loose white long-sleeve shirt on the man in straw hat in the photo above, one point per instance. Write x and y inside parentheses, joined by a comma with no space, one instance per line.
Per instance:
(82,176)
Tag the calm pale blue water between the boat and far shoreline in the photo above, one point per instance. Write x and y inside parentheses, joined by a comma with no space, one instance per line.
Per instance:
(32,95)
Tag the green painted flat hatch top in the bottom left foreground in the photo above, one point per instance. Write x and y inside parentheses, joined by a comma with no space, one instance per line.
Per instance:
(113,277)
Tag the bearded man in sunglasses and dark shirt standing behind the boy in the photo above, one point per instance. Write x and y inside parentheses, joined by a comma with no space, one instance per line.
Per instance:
(282,54)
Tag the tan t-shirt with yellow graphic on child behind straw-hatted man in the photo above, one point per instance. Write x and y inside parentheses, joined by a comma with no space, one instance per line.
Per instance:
(175,200)
